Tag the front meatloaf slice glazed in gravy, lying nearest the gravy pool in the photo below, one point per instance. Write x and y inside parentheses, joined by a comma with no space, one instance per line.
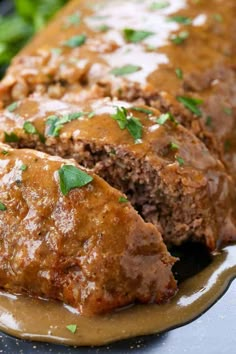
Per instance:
(81,245)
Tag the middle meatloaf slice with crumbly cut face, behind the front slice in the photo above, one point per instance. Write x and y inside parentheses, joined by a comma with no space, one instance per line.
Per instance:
(167,173)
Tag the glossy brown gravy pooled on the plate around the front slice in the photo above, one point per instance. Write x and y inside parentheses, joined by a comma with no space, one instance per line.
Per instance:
(43,320)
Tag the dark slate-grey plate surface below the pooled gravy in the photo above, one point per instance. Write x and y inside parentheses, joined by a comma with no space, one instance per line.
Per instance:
(211,333)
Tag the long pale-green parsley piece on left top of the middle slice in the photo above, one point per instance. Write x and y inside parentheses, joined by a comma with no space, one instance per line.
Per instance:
(55,123)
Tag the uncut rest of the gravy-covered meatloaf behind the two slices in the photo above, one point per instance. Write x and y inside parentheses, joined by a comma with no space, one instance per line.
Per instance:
(178,56)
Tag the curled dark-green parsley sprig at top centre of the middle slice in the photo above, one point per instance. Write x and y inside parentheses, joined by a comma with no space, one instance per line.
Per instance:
(126,121)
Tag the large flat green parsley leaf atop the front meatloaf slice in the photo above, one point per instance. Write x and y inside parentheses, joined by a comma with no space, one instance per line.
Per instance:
(72,177)
